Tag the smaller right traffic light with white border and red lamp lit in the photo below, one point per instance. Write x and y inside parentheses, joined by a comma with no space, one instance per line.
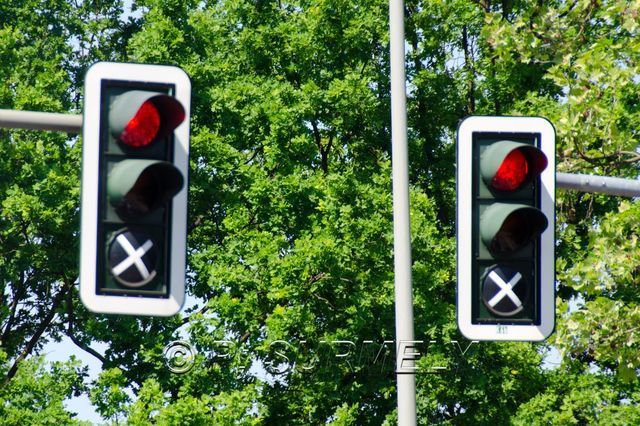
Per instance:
(505,228)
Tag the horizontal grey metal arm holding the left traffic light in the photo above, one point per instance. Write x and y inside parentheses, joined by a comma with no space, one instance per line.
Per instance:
(69,123)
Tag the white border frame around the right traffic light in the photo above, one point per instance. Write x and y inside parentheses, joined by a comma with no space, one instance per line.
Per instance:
(466,129)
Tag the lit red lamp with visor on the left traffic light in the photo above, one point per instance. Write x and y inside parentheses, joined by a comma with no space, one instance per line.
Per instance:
(137,117)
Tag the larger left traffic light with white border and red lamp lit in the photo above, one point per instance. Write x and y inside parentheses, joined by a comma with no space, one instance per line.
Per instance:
(134,188)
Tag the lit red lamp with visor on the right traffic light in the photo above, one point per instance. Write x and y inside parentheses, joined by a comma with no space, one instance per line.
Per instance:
(506,166)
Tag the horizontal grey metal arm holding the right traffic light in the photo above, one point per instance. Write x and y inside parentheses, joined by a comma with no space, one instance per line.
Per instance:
(601,184)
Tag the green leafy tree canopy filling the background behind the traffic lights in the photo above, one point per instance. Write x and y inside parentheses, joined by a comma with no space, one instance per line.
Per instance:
(290,246)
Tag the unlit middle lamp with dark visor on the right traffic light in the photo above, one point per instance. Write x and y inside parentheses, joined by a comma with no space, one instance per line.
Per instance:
(507,228)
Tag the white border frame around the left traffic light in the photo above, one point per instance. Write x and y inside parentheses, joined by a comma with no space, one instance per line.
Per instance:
(89,196)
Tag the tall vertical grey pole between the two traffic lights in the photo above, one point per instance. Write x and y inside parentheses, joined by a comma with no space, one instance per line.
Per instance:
(401,226)
